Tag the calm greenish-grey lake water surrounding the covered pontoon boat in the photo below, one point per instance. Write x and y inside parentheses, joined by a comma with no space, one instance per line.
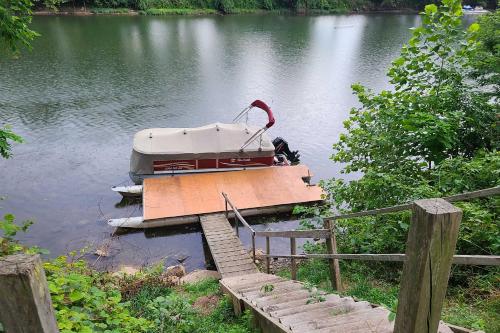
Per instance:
(91,82)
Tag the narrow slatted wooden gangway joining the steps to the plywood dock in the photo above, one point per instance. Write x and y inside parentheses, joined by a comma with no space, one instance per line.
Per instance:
(231,258)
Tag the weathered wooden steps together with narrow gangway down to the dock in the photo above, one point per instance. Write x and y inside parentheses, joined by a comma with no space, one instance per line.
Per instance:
(282,305)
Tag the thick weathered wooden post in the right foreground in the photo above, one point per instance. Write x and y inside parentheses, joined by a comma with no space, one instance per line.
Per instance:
(430,247)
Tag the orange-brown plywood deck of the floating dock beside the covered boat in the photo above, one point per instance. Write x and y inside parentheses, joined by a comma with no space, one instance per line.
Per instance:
(197,194)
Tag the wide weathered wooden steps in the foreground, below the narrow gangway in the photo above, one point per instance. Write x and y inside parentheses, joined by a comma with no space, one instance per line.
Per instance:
(280,305)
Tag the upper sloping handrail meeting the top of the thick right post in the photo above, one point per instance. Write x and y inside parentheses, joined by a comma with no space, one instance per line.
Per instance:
(398,208)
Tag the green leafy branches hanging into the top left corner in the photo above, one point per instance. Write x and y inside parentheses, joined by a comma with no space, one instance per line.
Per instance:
(15,17)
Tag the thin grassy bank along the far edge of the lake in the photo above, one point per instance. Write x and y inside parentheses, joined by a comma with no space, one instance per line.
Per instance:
(206,11)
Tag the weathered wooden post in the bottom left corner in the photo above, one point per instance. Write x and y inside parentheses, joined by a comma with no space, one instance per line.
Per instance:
(25,303)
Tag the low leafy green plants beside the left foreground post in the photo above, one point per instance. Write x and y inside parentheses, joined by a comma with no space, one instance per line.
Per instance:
(85,301)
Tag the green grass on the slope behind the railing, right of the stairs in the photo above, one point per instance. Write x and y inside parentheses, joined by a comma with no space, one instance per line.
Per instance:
(469,307)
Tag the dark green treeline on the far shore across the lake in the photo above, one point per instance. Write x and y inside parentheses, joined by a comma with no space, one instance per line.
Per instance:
(241,6)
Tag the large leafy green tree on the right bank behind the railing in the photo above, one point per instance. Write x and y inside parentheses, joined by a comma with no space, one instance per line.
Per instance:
(434,135)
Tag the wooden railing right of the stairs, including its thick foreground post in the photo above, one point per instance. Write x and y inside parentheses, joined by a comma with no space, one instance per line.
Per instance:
(427,262)
